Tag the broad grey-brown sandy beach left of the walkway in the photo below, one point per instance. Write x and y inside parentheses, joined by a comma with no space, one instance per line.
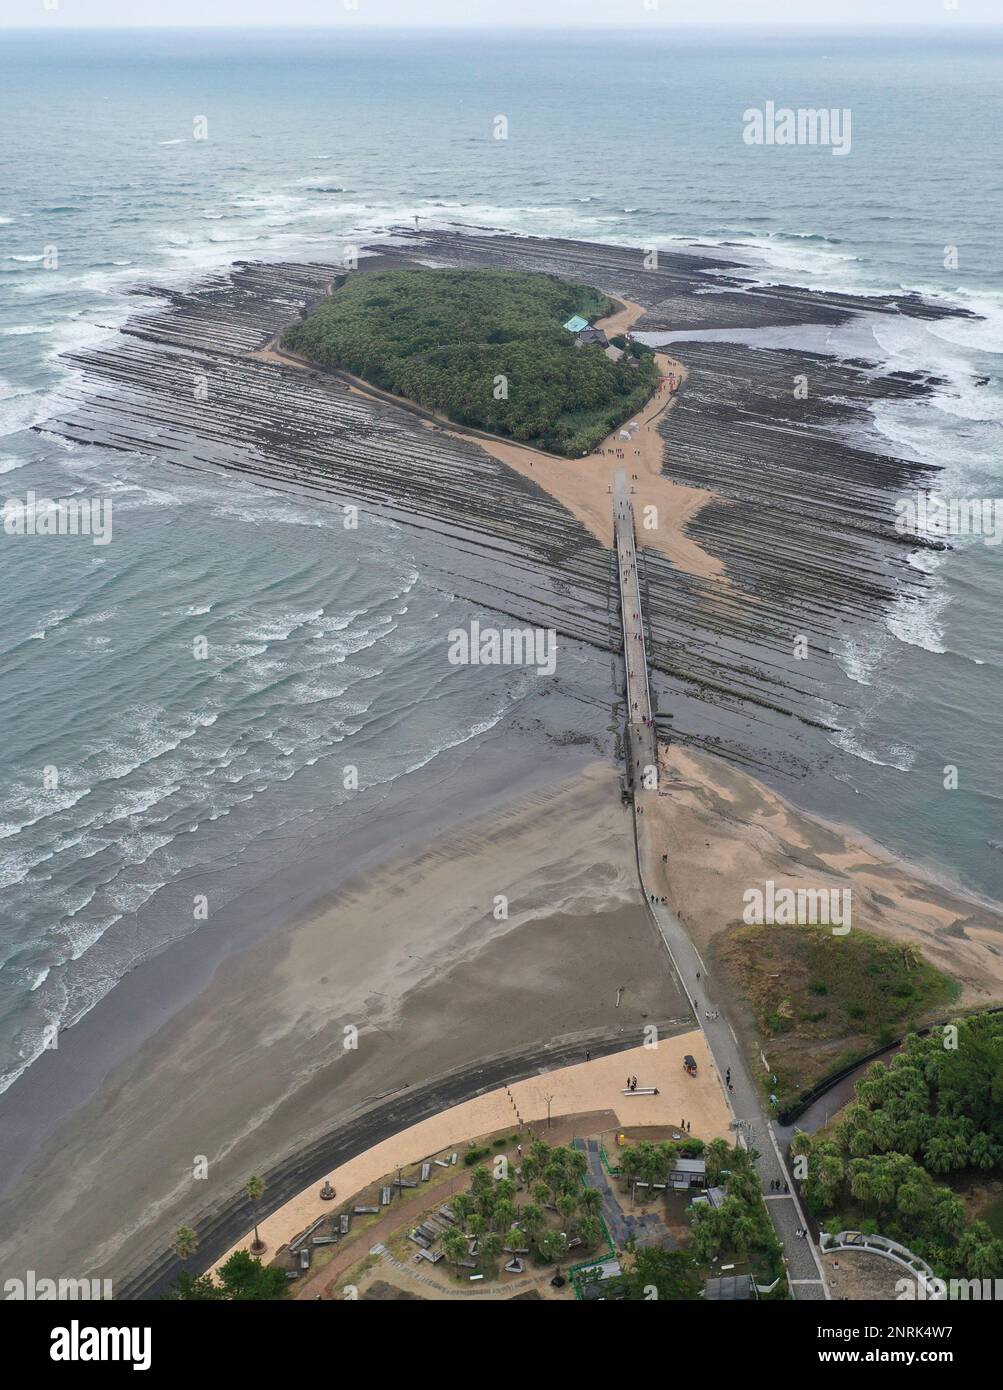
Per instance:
(409,954)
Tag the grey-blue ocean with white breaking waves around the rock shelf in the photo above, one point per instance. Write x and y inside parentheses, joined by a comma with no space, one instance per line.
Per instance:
(329,648)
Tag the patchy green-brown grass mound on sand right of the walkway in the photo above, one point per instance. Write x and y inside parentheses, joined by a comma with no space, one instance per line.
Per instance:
(822,1001)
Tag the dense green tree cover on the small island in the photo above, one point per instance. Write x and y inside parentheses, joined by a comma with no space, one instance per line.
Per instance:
(487,348)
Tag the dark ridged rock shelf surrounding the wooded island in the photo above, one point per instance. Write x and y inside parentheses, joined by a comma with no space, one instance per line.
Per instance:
(802,521)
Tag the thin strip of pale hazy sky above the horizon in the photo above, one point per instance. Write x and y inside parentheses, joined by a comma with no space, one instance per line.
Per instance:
(566,13)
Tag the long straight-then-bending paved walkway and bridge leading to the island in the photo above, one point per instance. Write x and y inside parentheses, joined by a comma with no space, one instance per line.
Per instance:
(751,1121)
